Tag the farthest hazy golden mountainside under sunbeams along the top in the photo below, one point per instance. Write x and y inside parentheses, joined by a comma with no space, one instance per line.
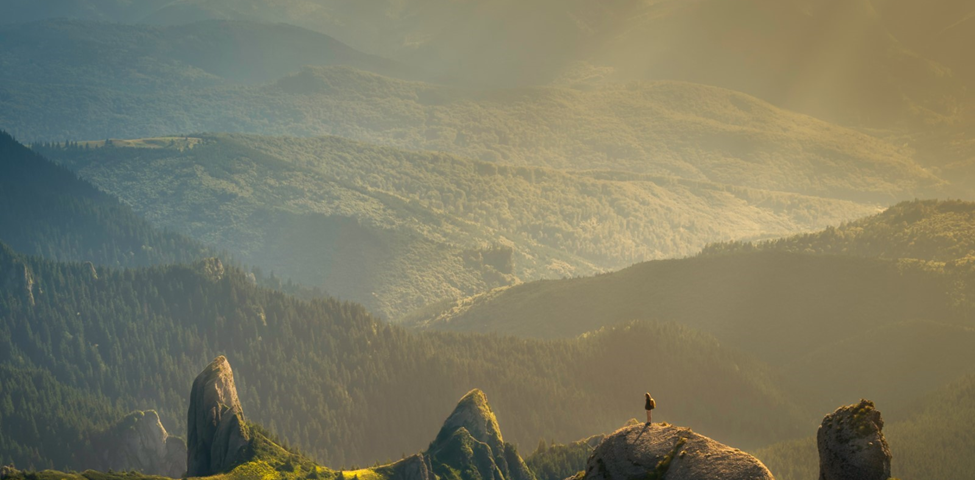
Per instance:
(858,62)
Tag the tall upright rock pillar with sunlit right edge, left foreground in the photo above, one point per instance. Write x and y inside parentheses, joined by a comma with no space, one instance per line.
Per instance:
(216,437)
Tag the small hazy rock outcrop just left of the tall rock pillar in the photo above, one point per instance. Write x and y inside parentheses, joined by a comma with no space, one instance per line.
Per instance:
(140,442)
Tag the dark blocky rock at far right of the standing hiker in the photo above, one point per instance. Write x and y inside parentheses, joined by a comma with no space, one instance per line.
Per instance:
(852,444)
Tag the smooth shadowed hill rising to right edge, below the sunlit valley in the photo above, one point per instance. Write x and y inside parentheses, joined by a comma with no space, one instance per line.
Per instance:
(811,314)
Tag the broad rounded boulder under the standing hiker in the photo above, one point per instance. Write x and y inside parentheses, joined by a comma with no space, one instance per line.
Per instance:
(661,451)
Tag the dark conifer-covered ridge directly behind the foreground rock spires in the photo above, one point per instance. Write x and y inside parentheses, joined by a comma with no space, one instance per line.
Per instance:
(341,385)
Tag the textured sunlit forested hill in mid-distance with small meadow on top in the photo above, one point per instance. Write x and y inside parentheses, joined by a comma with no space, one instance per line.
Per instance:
(396,230)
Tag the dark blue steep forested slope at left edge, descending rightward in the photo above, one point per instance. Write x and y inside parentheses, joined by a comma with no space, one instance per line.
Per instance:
(47,210)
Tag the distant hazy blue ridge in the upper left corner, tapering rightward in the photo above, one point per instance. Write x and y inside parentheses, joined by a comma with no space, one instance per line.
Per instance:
(147,59)
